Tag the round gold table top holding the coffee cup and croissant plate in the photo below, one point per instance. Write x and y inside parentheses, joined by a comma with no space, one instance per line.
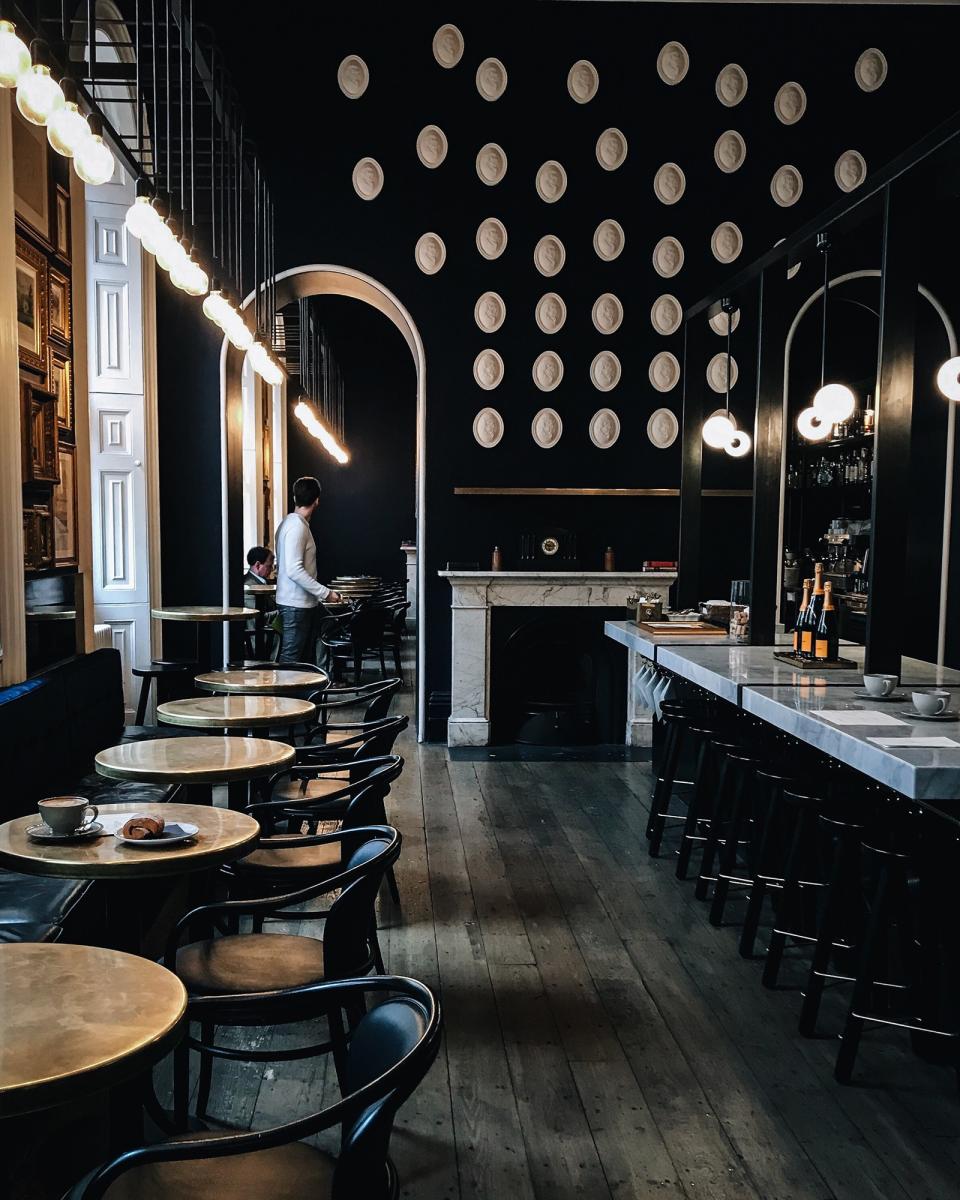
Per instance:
(225,836)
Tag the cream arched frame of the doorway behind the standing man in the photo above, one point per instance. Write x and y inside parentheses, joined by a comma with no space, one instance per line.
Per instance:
(295,285)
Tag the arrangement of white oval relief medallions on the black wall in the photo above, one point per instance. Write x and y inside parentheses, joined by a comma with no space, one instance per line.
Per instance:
(610,236)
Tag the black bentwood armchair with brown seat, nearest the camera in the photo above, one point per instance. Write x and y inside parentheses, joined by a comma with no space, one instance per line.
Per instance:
(382,1061)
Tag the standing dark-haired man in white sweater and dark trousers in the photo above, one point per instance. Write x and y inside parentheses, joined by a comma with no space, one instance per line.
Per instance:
(298,591)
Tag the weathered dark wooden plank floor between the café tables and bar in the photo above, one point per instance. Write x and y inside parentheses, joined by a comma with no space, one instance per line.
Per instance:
(603,1040)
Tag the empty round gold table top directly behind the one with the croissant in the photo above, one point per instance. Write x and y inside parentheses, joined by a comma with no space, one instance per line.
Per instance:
(203,760)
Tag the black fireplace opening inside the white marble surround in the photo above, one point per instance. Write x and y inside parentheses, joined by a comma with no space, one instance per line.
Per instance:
(556,680)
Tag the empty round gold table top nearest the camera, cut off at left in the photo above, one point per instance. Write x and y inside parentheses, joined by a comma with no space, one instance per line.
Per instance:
(80,1019)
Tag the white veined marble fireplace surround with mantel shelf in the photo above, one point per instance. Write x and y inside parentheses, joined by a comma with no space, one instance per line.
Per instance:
(475,593)
